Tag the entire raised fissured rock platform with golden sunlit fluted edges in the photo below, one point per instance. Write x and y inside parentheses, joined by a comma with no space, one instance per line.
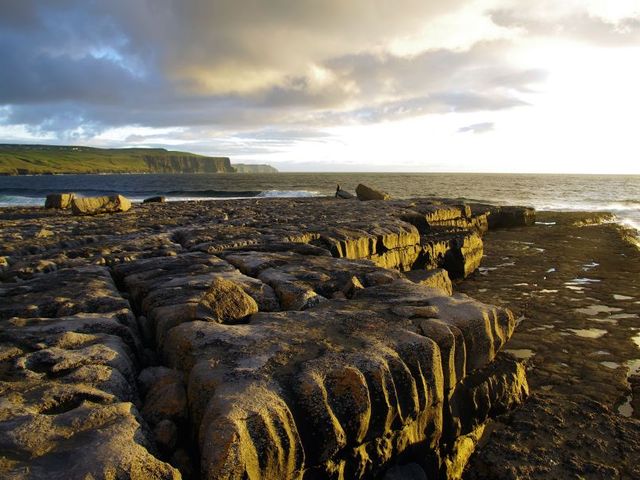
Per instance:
(270,338)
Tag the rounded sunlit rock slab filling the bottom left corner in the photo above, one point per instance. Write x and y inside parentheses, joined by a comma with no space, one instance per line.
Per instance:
(90,441)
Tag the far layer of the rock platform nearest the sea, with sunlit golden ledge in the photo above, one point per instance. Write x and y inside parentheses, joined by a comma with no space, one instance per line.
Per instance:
(381,231)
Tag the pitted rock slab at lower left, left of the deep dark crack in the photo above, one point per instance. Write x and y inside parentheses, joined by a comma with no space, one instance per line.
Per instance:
(68,364)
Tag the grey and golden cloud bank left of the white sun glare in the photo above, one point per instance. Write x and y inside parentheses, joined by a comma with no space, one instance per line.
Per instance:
(239,71)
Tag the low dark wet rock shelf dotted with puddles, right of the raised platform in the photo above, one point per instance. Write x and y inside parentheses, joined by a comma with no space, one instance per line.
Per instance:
(574,282)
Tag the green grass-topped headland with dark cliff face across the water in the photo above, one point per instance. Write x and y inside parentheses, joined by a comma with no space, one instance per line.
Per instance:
(53,159)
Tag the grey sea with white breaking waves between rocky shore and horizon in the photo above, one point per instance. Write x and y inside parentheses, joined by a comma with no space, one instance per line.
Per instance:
(619,194)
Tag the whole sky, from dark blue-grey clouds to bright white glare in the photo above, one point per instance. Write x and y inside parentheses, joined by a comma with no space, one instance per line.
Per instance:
(333,85)
